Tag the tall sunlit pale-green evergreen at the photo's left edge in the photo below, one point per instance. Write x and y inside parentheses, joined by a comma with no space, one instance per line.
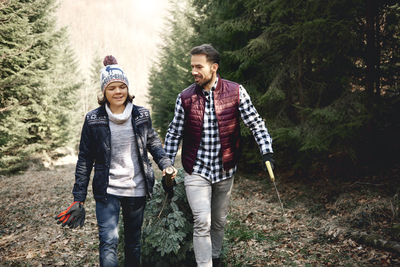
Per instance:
(31,82)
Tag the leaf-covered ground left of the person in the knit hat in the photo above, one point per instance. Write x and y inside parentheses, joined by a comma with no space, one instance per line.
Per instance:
(29,234)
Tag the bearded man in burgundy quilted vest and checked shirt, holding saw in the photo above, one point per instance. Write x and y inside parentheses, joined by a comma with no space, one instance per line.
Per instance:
(207,119)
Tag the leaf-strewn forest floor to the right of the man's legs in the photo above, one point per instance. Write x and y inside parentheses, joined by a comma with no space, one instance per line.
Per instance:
(321,225)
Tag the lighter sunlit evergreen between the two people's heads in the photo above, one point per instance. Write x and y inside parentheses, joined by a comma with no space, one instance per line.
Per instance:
(171,73)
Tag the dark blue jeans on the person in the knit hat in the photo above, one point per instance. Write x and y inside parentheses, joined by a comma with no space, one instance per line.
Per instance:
(107,213)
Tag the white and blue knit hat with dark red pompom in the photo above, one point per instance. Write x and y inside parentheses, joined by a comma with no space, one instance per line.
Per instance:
(112,72)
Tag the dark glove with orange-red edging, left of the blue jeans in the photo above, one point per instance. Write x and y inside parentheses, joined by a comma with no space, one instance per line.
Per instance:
(73,216)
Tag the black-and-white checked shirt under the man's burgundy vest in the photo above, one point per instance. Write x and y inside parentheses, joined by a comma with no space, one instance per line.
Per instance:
(208,163)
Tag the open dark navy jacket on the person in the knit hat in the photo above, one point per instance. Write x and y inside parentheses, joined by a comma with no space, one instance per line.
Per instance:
(95,148)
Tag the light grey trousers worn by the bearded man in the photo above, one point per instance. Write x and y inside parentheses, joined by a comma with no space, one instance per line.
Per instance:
(209,204)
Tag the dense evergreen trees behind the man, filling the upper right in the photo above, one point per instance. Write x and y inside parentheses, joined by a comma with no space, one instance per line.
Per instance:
(323,75)
